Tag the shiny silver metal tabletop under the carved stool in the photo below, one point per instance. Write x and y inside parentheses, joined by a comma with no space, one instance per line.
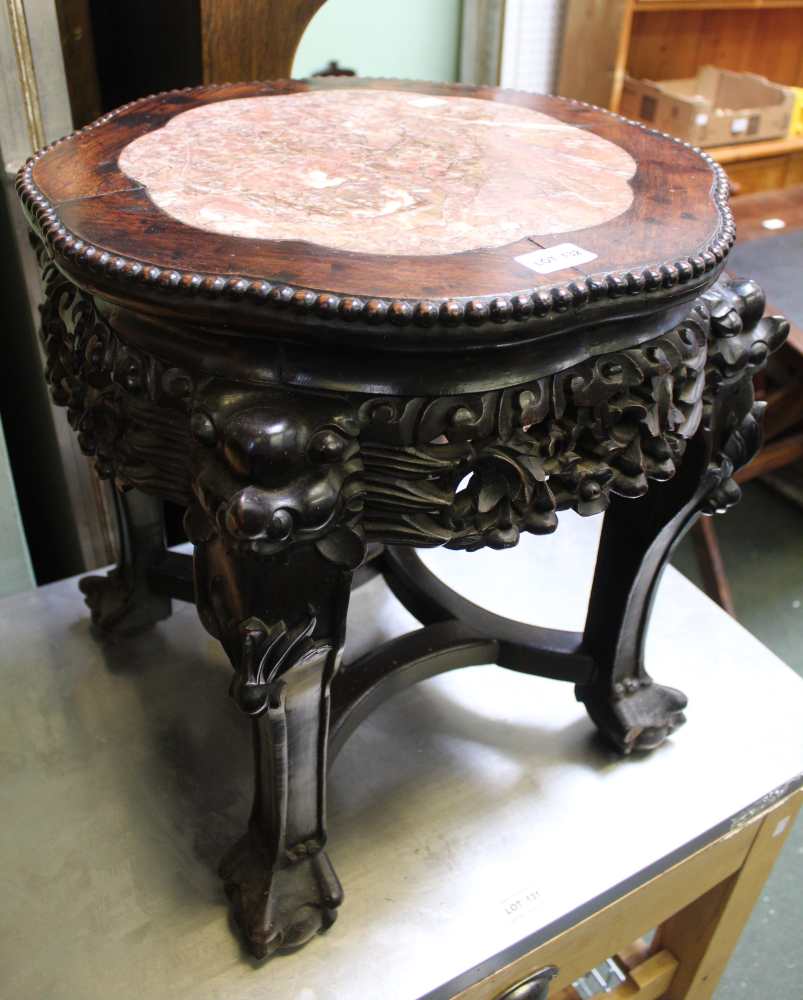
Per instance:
(471,817)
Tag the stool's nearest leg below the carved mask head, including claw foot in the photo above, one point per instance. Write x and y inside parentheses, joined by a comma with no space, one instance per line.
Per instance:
(281,620)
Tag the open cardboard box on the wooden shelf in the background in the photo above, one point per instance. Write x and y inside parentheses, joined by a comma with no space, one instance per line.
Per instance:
(716,108)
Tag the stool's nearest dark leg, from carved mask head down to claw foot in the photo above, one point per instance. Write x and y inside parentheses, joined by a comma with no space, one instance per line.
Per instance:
(276,532)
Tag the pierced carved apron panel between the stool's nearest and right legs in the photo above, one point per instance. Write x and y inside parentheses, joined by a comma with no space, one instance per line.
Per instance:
(480,469)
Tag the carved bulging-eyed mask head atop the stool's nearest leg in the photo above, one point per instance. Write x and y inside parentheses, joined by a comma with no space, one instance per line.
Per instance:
(270,466)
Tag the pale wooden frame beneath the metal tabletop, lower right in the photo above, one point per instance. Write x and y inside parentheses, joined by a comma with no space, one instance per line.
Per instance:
(700,905)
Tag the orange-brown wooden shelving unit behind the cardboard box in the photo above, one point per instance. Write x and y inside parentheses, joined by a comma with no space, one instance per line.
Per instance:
(665,39)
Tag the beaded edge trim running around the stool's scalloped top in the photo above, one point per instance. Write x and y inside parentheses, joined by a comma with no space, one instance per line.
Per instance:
(532,303)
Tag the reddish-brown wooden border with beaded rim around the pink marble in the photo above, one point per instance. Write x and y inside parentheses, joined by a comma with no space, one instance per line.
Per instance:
(673,237)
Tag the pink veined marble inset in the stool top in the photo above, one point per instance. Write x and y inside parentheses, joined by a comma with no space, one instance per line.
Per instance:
(380,171)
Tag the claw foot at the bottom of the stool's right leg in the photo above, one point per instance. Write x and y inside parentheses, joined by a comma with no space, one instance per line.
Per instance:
(637,715)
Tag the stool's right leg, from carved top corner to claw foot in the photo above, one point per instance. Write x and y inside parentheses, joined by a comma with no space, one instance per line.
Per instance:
(637,539)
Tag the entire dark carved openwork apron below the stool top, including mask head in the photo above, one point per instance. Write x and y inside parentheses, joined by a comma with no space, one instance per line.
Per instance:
(269,466)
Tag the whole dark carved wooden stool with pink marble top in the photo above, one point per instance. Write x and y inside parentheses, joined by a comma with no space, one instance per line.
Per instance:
(328,315)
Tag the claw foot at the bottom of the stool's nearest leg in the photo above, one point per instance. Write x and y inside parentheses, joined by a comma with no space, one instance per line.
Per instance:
(283,907)
